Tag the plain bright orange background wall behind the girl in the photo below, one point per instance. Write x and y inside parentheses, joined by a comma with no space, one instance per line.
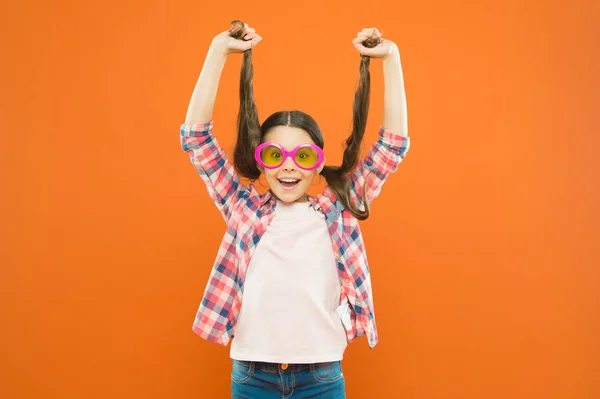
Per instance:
(483,246)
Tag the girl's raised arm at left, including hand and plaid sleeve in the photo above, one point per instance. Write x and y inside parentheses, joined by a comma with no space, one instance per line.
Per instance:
(197,139)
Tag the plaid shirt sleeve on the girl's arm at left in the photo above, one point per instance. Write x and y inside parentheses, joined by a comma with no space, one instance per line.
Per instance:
(211,163)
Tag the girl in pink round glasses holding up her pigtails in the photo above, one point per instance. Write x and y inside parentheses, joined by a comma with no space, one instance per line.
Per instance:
(290,286)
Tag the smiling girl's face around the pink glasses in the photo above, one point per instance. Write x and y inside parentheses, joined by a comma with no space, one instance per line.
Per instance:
(289,138)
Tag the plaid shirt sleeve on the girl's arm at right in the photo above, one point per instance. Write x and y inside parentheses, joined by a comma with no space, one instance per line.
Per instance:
(381,161)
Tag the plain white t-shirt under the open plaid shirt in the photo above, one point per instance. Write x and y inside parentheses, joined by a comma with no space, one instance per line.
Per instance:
(291,293)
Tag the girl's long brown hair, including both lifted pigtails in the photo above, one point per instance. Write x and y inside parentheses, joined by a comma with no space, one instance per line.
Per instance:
(251,132)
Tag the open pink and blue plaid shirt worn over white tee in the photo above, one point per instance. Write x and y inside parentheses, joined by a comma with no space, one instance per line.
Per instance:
(248,213)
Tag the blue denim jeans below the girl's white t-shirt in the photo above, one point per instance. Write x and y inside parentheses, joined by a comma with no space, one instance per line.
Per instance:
(257,380)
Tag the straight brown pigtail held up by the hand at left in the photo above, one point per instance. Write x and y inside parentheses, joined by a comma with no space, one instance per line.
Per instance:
(248,137)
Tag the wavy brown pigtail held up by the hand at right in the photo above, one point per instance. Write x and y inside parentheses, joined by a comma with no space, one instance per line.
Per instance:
(337,176)
